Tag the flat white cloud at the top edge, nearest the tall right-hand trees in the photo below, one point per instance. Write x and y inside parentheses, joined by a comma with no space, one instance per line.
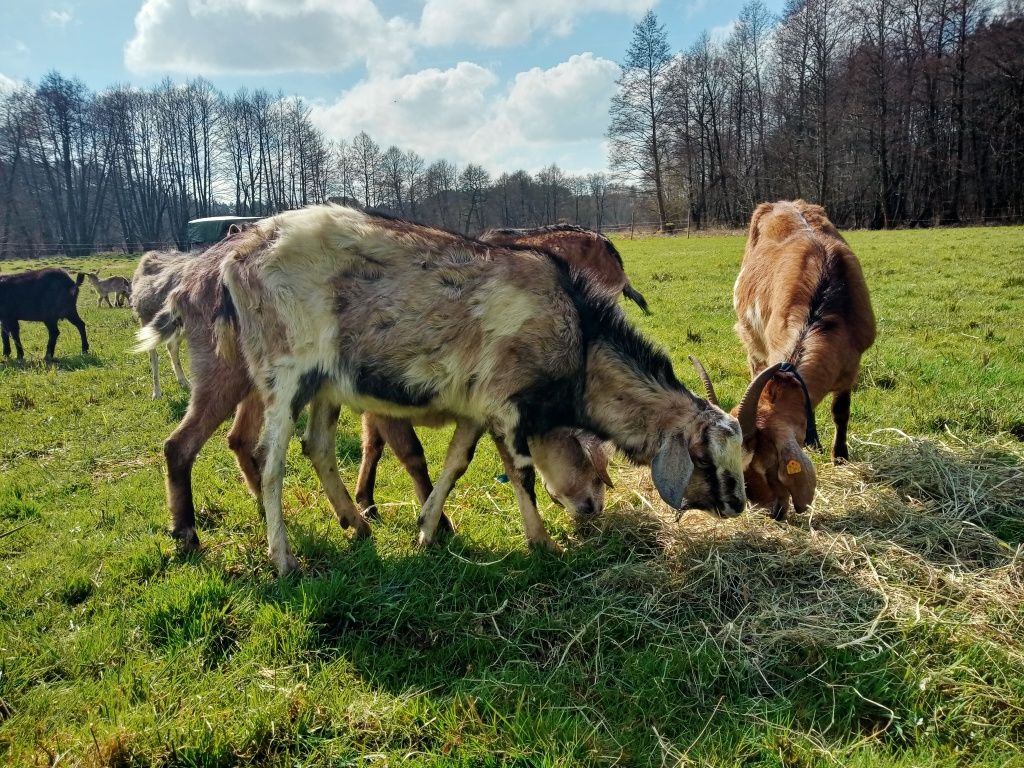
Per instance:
(501,23)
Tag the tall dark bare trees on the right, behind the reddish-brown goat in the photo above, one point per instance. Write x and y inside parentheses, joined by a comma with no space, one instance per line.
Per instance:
(890,113)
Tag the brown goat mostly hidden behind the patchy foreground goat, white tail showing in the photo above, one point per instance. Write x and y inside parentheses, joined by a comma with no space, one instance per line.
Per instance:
(221,387)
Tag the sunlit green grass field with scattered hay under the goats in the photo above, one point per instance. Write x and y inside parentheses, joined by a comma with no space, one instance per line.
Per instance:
(883,628)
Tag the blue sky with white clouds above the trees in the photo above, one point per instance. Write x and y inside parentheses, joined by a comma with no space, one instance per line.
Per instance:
(505,83)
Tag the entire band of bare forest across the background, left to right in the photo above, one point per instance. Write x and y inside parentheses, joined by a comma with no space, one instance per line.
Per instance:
(890,113)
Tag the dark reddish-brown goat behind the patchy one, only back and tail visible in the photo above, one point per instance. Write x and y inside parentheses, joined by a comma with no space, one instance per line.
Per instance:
(584,250)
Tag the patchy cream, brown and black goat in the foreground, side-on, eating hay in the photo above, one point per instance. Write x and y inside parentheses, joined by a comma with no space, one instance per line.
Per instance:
(336,307)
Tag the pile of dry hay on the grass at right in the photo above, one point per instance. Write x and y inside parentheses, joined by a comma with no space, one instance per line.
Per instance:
(901,541)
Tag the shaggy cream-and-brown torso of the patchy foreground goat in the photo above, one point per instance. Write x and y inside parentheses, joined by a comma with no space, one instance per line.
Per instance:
(403,315)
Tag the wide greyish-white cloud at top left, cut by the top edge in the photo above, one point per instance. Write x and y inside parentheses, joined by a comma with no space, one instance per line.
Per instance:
(266,36)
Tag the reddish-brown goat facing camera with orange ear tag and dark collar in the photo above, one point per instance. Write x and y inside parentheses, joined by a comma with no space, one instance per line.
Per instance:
(801,302)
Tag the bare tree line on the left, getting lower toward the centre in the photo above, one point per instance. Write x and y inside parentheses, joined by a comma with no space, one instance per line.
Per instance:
(127,168)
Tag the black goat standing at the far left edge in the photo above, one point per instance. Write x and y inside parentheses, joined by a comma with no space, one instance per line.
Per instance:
(44,296)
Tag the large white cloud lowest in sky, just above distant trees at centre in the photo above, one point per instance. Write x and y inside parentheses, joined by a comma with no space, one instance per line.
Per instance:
(560,114)
